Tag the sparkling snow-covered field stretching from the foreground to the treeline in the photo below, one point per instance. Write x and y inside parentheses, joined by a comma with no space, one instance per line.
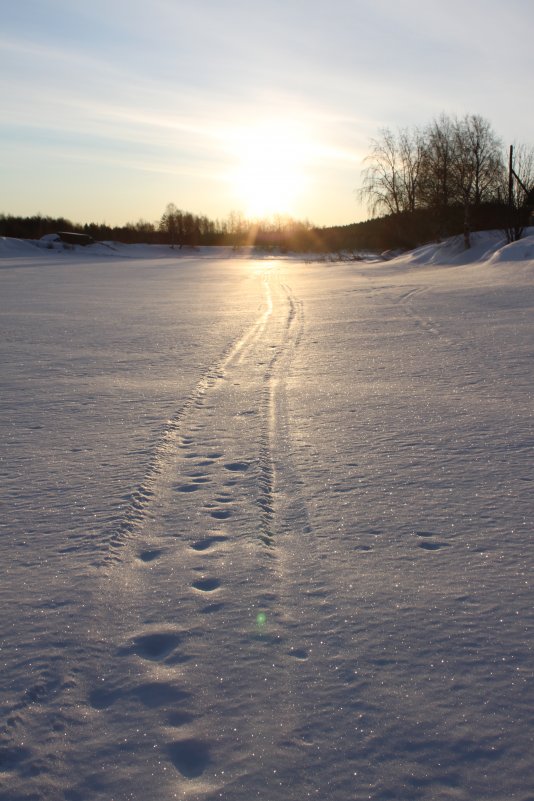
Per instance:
(266,525)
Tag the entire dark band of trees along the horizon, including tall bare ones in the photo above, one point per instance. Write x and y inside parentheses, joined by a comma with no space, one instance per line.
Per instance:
(420,185)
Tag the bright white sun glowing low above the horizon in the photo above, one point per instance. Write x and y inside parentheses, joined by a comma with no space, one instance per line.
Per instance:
(270,176)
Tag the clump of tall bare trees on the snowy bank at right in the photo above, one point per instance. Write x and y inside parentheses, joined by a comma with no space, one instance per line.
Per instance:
(452,173)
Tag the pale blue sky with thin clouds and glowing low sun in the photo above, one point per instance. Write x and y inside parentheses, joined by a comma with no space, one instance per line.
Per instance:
(110,110)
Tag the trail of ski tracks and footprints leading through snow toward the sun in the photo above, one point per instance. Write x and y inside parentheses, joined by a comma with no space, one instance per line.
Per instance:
(208,517)
